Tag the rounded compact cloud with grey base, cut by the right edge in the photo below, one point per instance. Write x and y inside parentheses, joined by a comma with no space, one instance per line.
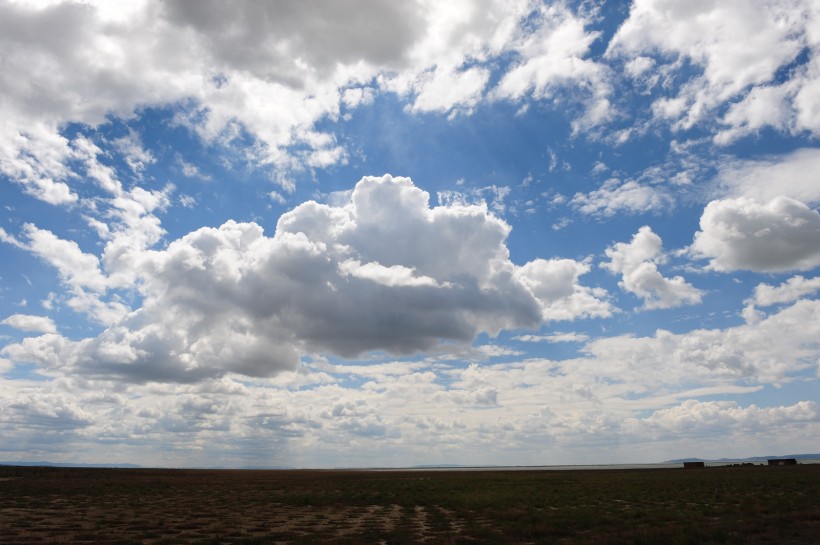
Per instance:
(776,236)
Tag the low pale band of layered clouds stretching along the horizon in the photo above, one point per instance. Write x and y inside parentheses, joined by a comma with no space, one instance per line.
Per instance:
(652,393)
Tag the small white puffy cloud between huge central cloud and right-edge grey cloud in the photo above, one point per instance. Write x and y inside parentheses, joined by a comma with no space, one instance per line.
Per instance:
(637,262)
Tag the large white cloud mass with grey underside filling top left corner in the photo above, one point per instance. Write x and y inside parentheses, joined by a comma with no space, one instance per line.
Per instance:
(74,64)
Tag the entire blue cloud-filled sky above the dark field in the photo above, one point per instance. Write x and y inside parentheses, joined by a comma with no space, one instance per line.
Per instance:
(368,233)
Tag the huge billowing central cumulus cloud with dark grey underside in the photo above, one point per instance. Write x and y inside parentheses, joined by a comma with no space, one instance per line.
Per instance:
(384,271)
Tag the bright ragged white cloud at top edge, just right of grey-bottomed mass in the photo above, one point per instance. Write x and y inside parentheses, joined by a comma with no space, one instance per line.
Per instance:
(451,65)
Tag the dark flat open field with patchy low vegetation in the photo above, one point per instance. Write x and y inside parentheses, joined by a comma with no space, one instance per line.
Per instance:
(741,505)
